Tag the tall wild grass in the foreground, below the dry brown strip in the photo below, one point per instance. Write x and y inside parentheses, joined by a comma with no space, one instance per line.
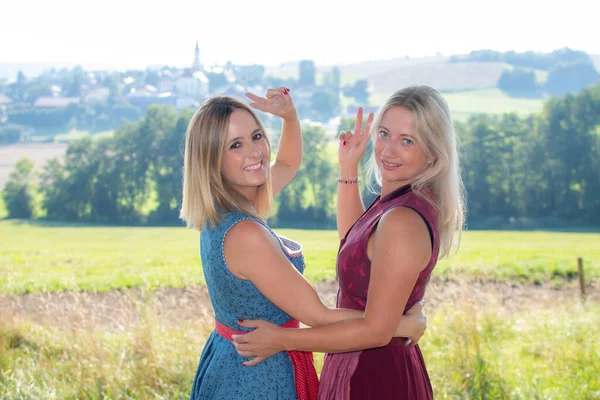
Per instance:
(470,354)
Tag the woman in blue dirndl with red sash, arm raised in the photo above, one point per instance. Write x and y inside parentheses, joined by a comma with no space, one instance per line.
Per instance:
(229,182)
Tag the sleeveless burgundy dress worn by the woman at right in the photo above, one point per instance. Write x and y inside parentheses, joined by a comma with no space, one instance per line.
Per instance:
(394,371)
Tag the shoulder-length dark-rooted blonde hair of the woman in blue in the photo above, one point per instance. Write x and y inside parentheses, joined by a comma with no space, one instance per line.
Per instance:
(206,195)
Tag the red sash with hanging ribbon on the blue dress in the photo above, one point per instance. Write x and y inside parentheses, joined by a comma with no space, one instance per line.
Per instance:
(305,375)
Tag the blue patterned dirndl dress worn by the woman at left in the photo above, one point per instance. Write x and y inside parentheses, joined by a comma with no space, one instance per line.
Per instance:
(220,373)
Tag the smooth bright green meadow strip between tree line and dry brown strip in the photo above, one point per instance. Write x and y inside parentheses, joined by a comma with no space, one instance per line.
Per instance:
(49,257)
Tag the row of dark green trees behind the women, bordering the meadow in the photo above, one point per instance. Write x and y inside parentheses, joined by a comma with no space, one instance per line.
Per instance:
(541,167)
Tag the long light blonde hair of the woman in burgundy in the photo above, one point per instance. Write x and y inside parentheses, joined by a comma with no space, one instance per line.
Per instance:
(435,132)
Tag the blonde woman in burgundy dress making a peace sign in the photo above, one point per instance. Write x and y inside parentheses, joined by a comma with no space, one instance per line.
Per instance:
(387,252)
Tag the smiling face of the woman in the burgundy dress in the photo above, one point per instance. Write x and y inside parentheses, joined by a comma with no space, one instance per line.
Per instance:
(398,154)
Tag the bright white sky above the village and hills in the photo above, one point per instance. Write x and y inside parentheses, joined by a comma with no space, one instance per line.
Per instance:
(136,34)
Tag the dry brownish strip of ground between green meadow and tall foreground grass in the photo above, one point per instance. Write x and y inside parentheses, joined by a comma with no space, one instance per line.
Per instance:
(122,309)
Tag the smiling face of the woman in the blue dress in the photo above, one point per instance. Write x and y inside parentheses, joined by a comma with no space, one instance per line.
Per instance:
(246,156)
